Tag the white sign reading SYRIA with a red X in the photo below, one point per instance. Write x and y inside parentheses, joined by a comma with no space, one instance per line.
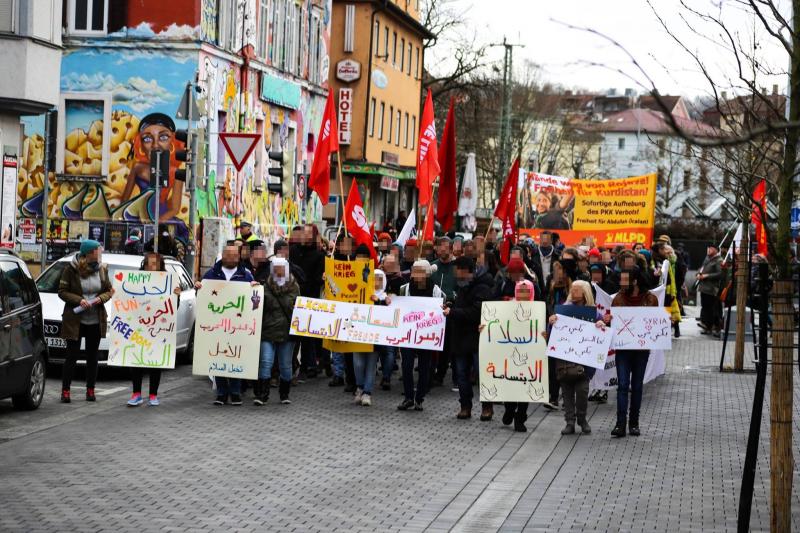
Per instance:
(641,328)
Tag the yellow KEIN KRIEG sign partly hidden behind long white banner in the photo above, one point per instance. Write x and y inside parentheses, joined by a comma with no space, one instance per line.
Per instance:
(352,282)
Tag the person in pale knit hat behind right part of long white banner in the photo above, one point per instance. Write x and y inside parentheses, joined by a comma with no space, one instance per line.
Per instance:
(421,284)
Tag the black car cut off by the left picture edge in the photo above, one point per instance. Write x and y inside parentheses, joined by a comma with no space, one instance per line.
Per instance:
(23,352)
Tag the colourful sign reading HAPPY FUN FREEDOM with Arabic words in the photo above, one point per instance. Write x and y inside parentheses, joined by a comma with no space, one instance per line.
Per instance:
(142,321)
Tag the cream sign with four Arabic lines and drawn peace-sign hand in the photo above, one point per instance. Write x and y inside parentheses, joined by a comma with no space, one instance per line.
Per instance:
(227,338)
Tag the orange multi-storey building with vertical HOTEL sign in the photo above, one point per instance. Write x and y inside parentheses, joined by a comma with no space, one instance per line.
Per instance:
(377,61)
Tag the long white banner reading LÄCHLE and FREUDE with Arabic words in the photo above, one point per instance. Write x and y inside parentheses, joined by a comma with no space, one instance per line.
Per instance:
(410,322)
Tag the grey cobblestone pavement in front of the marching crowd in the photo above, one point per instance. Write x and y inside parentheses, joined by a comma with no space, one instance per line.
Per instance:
(323,464)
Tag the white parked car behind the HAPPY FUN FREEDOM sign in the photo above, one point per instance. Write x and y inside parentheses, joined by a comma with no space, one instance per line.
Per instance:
(53,306)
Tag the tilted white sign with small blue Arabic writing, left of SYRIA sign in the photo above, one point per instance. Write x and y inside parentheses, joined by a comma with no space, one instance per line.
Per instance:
(579,341)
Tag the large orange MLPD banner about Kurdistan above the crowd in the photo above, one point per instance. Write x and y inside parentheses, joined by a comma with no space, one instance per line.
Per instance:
(617,211)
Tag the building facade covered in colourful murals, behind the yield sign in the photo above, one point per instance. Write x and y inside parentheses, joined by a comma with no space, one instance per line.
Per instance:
(251,66)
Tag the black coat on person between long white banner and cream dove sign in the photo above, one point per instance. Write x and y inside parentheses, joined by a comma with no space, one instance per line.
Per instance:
(465,314)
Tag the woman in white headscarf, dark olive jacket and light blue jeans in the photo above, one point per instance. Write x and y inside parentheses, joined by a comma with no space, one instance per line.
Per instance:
(280,292)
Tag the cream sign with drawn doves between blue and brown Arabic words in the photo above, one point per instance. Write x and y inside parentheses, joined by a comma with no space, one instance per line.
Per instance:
(512,358)
